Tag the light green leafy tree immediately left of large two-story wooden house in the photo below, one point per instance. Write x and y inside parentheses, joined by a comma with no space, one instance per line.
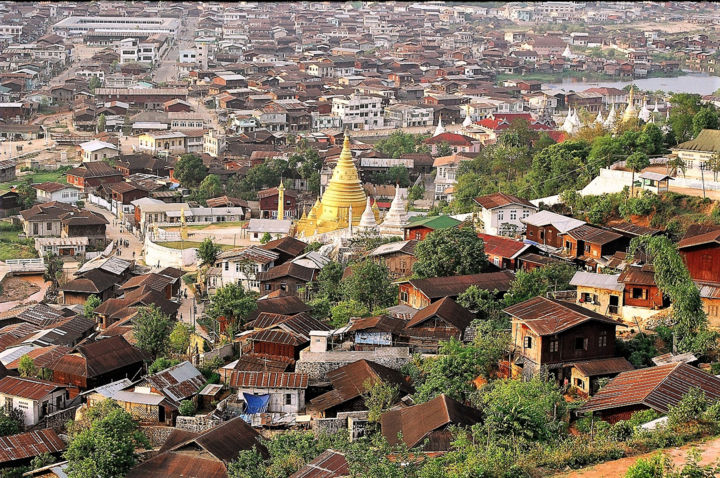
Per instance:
(455,367)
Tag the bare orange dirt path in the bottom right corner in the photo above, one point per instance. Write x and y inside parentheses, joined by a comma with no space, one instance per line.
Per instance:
(616,469)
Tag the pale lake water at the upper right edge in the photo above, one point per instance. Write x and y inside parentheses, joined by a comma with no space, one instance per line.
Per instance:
(700,83)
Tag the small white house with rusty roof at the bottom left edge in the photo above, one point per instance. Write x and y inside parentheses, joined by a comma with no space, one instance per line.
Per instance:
(34,398)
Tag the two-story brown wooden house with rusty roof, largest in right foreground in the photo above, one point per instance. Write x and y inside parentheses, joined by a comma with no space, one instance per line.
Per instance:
(555,334)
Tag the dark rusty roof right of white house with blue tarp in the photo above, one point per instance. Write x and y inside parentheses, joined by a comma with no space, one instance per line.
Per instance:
(349,382)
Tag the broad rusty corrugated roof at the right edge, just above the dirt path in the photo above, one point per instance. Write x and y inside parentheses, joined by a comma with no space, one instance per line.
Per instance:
(655,387)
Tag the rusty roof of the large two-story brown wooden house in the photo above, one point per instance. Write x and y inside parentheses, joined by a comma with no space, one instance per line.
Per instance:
(550,316)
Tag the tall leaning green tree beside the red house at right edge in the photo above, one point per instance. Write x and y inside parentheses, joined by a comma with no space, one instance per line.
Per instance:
(673,279)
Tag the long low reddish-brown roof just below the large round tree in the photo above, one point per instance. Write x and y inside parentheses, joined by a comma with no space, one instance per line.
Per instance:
(437,287)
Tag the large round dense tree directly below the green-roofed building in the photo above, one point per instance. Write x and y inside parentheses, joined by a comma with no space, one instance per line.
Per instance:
(449,252)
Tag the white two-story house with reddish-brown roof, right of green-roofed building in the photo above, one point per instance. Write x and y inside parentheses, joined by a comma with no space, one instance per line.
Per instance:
(502,213)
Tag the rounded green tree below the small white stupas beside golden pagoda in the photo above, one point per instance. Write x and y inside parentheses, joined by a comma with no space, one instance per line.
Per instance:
(370,285)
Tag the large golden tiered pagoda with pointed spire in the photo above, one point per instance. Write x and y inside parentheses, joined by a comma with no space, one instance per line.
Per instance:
(343,196)
